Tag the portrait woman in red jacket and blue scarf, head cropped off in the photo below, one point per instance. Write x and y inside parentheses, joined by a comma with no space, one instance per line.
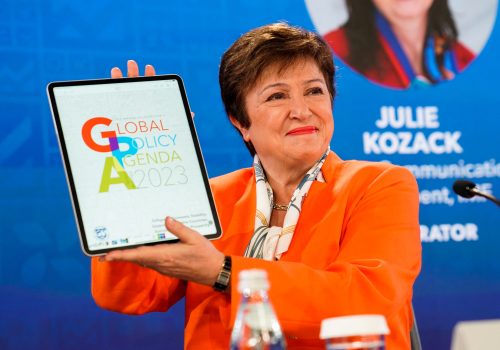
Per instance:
(401,44)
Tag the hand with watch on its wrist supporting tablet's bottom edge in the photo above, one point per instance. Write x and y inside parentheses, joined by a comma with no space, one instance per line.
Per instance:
(194,258)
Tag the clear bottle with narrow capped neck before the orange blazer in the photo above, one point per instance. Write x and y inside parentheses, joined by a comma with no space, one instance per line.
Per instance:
(256,326)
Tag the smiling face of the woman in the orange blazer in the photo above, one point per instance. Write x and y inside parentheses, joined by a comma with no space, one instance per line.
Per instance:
(290,112)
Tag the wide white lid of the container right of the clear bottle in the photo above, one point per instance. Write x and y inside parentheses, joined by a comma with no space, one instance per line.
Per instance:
(348,326)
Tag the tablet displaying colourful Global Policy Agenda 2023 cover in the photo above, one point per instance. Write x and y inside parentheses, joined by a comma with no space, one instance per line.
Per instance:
(131,157)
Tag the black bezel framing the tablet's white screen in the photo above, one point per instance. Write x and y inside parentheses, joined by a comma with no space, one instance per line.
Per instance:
(69,173)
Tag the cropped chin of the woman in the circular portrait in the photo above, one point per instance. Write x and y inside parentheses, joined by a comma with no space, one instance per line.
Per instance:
(395,10)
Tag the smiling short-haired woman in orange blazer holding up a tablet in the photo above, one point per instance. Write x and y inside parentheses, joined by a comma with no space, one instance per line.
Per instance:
(336,237)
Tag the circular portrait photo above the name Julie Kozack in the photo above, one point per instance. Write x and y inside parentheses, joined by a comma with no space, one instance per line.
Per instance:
(403,44)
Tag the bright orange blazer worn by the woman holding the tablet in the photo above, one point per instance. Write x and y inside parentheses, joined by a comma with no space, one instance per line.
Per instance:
(356,250)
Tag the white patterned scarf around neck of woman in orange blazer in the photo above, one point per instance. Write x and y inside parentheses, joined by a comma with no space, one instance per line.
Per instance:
(269,243)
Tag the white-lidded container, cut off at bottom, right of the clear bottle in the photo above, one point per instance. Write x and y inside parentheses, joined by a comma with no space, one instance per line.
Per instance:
(360,332)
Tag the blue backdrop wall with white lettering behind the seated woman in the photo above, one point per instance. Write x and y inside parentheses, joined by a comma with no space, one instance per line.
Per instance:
(45,301)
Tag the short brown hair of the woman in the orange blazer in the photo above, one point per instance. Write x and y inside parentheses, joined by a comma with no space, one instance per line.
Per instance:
(279,43)
